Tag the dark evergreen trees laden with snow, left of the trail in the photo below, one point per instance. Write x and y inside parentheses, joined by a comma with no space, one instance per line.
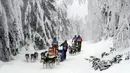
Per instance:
(26,21)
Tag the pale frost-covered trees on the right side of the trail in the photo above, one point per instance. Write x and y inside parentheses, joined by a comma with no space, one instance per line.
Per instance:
(112,19)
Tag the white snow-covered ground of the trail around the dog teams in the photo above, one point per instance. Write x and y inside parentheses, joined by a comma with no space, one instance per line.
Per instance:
(73,64)
